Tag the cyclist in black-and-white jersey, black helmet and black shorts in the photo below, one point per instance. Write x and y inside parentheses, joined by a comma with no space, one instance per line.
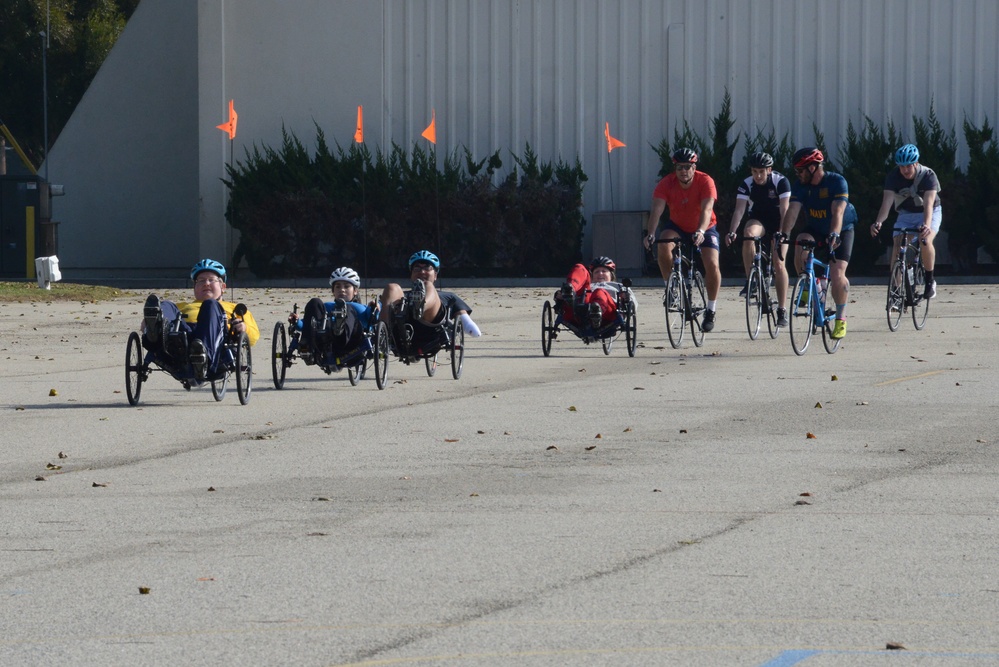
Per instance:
(766,193)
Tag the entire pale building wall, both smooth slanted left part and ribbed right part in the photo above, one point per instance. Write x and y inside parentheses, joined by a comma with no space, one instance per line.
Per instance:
(501,74)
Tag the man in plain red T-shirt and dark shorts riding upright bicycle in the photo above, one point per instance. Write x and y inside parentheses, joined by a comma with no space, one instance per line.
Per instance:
(690,196)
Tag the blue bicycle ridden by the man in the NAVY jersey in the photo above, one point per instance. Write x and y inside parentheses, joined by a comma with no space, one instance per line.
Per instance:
(808,310)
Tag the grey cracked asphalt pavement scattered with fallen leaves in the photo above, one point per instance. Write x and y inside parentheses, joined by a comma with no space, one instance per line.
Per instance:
(732,504)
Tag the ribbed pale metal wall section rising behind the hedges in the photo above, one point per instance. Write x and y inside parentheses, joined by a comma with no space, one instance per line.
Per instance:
(504,73)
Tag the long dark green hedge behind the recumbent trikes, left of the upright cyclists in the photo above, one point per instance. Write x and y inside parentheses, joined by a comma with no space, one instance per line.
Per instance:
(300,215)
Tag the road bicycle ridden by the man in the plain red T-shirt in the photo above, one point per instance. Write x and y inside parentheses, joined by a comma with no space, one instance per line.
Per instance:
(684,300)
